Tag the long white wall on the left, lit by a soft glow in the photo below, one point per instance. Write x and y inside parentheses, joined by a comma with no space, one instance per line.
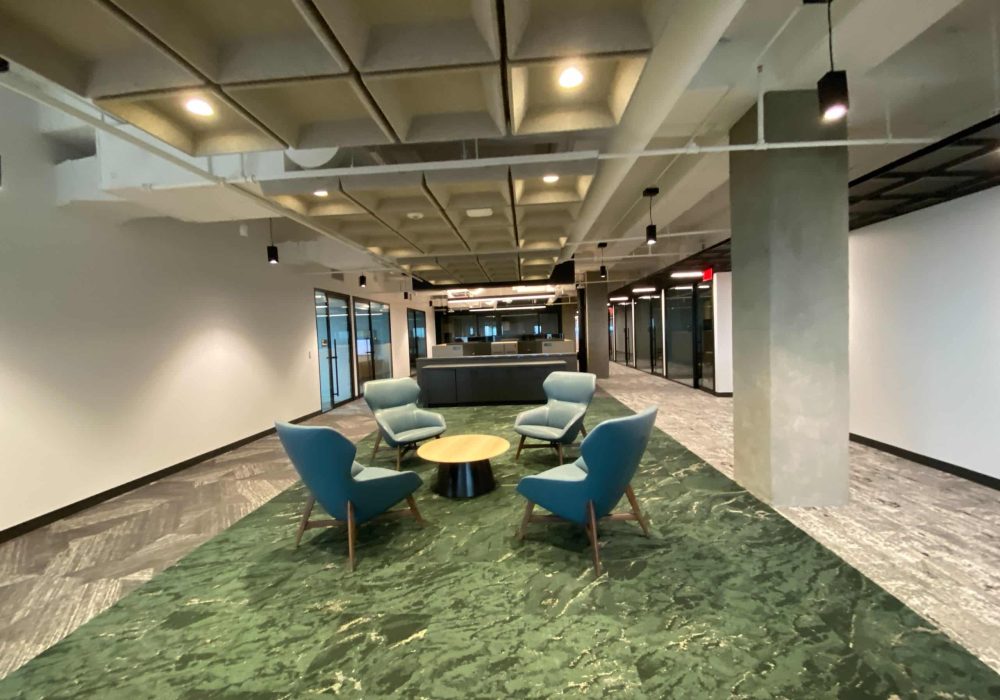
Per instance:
(125,349)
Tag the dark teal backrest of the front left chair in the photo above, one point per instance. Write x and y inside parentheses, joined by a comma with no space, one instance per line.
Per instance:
(323,458)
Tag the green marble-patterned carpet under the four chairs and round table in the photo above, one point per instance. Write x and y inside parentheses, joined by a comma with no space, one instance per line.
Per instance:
(727,599)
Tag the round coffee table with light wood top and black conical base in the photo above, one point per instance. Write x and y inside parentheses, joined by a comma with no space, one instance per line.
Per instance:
(464,469)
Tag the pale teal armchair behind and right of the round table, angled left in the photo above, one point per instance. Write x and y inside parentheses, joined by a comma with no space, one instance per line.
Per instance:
(560,420)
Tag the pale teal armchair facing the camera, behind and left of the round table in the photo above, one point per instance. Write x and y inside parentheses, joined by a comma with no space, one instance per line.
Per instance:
(400,423)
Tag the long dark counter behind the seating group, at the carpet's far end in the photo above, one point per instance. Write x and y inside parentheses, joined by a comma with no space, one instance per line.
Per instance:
(483,379)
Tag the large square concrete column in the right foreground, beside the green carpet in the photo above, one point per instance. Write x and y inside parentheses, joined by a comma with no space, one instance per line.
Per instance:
(790,342)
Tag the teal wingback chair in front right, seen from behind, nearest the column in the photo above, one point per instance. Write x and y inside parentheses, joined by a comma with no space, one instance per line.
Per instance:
(588,489)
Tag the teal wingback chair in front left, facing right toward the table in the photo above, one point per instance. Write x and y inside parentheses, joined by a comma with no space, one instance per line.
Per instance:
(348,491)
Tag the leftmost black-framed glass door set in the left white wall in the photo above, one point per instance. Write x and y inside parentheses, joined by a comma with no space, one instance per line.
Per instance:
(333,338)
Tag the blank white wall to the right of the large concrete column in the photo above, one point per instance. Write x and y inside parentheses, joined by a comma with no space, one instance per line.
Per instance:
(925,332)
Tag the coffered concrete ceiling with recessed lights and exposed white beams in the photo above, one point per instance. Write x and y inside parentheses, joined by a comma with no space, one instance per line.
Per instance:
(438,136)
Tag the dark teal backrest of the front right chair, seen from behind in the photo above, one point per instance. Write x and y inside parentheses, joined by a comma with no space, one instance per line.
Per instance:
(612,452)
